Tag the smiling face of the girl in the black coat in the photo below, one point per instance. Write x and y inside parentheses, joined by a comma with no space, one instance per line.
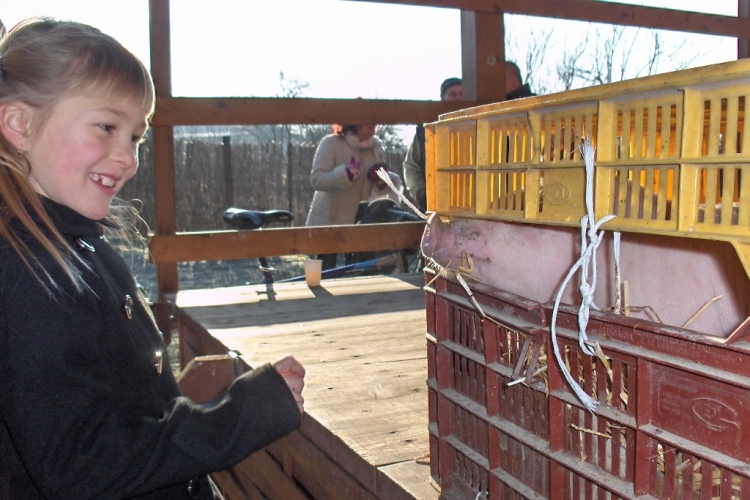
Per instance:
(86,151)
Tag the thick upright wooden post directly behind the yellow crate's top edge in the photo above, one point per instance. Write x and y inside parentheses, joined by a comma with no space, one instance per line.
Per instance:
(483,56)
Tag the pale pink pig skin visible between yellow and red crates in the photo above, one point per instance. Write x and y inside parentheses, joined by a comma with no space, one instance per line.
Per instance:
(674,276)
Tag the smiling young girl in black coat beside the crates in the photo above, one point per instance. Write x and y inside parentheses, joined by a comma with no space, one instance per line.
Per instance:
(88,405)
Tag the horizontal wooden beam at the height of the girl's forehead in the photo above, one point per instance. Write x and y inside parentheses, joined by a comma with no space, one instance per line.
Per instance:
(274,110)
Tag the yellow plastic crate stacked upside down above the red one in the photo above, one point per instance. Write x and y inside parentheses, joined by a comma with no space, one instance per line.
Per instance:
(671,153)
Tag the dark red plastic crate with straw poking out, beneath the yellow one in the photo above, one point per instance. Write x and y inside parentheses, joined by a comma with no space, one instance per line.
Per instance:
(673,419)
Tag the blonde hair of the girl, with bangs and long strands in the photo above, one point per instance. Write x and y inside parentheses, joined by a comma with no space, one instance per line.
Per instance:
(42,61)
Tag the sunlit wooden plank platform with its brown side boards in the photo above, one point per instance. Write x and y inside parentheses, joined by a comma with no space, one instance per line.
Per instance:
(362,341)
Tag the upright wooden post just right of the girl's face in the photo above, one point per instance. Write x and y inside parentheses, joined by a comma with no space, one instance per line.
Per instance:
(166,220)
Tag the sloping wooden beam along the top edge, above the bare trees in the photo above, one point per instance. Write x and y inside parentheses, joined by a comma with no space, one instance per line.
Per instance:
(600,12)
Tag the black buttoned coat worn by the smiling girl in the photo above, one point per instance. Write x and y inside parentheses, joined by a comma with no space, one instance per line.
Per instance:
(83,412)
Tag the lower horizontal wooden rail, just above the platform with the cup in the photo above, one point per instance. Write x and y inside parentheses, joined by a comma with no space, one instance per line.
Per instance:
(230,245)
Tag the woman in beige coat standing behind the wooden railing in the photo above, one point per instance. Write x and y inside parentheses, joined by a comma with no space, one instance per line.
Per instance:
(344,174)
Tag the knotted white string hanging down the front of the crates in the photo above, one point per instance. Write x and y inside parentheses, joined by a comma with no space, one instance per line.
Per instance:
(590,241)
